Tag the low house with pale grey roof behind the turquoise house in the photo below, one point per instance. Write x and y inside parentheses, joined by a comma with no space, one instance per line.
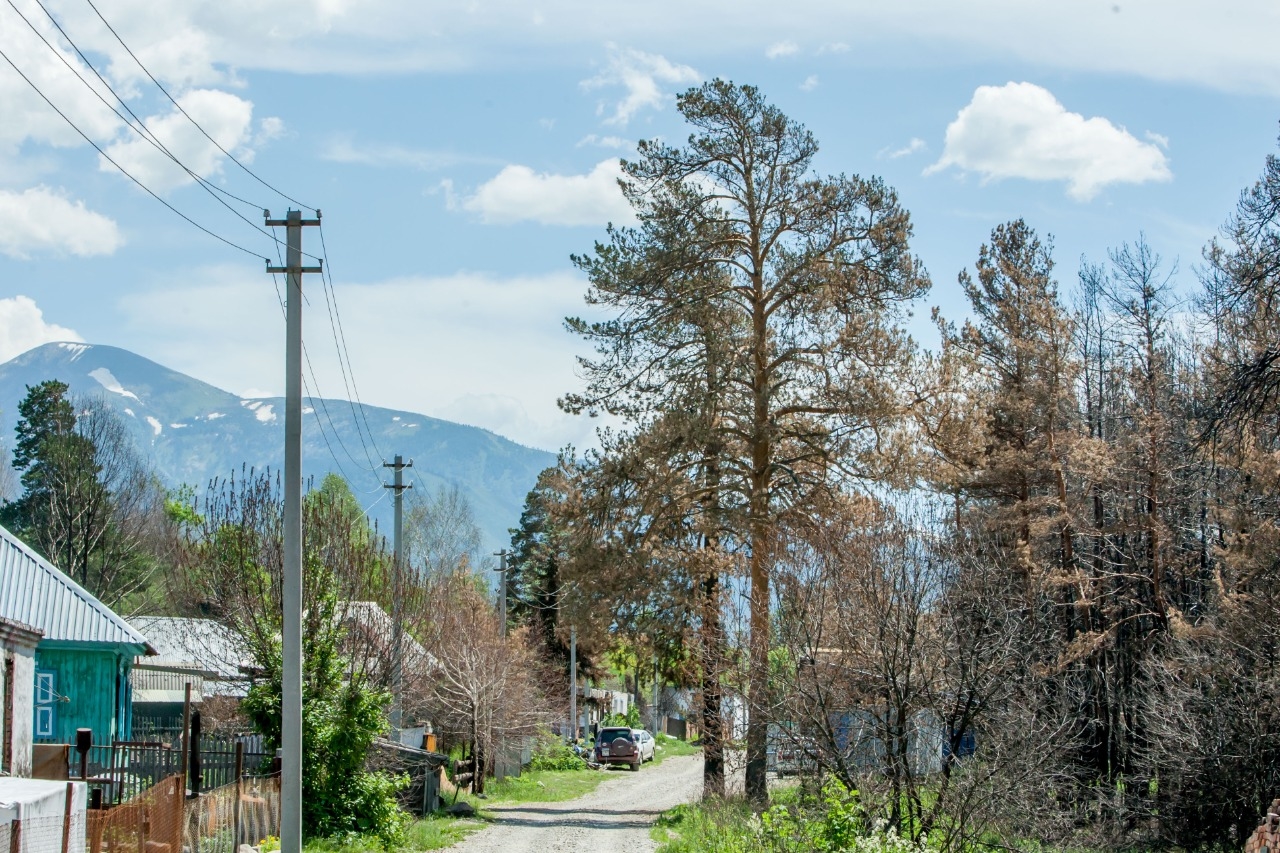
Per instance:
(202,653)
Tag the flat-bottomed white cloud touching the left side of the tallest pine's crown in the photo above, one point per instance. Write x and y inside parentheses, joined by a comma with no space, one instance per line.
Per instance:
(519,194)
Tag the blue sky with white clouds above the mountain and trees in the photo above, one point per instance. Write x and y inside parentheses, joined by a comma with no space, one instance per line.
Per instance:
(461,152)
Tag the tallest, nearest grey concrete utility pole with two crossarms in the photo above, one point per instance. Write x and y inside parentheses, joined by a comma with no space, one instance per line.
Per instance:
(291,686)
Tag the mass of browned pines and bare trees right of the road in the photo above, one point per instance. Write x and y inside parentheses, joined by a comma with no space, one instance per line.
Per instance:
(1016,589)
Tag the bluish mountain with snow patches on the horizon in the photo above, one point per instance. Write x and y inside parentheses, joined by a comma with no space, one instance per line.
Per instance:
(194,432)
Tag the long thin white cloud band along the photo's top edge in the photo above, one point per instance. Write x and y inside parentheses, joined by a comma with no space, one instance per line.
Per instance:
(198,43)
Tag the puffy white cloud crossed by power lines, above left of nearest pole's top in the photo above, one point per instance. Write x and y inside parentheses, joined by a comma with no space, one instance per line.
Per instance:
(226,118)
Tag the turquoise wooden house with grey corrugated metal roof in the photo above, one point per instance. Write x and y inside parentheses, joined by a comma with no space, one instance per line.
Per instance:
(84,656)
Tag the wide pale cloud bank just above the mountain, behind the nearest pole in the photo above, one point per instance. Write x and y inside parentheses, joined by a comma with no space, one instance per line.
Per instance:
(226,329)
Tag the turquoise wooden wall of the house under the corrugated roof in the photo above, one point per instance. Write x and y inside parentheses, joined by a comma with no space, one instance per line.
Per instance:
(93,690)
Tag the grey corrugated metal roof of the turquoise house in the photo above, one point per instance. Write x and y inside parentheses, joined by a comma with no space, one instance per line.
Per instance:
(35,592)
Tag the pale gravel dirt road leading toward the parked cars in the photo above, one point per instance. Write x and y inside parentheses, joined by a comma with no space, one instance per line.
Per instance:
(614,819)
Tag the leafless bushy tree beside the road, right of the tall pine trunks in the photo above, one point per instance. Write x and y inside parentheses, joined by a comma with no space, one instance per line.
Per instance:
(903,673)
